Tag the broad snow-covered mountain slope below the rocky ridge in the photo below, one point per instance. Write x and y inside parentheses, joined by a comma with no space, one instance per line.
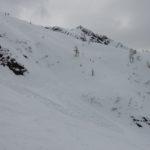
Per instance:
(60,92)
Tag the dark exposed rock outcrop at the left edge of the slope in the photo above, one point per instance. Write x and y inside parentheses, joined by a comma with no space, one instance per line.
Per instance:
(6,60)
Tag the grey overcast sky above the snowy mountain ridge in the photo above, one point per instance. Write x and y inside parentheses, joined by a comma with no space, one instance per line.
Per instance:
(122,20)
